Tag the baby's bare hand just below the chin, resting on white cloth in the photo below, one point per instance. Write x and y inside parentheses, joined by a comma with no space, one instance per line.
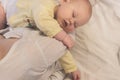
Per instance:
(68,41)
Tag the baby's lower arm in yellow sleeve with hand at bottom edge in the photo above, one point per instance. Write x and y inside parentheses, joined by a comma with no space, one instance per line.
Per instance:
(69,65)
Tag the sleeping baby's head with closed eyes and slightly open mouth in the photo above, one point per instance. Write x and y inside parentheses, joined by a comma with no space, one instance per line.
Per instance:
(73,14)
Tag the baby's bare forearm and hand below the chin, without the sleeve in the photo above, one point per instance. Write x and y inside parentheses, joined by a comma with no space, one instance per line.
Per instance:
(65,38)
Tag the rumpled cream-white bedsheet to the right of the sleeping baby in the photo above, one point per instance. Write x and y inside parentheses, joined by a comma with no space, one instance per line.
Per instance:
(97,49)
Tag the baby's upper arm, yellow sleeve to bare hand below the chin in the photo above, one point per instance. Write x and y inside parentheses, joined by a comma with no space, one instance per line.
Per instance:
(50,27)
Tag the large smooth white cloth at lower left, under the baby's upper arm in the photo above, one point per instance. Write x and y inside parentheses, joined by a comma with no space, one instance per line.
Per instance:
(32,57)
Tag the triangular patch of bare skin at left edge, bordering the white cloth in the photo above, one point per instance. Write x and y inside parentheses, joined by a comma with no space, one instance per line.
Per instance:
(5,45)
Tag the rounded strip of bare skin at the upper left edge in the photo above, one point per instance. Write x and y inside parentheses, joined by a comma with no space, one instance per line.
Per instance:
(2,17)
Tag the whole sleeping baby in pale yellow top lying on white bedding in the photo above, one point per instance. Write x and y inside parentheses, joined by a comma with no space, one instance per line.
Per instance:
(54,20)
